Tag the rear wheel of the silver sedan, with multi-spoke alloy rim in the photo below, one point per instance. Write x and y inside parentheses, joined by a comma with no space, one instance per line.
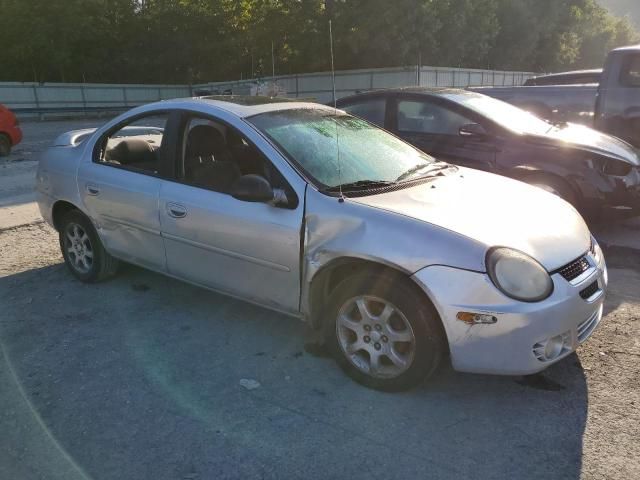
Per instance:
(82,249)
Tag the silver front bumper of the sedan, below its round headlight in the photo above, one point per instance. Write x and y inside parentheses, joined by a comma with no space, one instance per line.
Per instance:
(515,344)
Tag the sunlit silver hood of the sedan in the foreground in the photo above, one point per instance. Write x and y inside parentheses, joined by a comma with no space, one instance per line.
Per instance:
(495,211)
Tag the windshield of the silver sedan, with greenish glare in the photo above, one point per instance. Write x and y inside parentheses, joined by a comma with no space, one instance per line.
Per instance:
(337,149)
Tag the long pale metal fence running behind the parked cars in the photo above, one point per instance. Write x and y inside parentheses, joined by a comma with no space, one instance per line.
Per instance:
(37,98)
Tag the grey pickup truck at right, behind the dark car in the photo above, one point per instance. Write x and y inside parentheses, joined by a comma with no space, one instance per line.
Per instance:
(612,106)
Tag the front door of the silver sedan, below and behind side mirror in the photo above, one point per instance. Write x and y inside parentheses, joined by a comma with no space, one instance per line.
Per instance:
(246,249)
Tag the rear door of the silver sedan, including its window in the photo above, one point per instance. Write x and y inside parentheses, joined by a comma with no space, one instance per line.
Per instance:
(119,184)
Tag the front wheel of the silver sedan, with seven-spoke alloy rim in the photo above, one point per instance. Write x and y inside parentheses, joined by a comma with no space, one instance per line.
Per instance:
(383,331)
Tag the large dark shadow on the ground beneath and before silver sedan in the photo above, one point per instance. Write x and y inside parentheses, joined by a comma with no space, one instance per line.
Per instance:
(139,377)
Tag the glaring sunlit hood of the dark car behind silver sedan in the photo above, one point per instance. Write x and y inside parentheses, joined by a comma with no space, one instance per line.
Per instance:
(590,140)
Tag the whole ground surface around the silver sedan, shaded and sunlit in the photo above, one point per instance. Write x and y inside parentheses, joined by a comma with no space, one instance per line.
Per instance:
(147,377)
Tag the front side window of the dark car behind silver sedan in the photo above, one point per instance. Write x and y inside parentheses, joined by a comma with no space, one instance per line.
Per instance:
(423,117)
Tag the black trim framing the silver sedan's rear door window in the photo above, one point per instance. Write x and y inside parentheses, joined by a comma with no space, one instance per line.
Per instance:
(163,150)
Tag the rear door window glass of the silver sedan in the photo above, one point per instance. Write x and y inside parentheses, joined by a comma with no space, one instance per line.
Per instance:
(137,145)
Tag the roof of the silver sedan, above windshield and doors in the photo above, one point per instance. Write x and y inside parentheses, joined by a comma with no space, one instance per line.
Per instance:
(245,106)
